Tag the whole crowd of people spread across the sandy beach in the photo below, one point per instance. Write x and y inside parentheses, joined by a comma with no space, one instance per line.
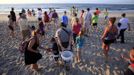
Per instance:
(67,36)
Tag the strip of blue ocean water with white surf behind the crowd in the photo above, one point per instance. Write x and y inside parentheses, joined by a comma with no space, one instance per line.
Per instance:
(61,7)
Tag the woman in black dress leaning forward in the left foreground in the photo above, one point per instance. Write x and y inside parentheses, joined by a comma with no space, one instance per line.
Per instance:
(32,55)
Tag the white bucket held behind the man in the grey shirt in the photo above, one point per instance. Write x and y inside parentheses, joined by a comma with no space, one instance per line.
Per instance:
(67,56)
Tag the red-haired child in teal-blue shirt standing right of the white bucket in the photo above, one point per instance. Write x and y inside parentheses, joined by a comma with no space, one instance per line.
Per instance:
(79,43)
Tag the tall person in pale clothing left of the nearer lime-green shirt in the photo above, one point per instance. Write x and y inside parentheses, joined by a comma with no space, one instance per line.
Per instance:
(87,21)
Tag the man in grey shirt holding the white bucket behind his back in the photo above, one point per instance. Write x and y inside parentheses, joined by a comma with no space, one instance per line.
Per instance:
(63,37)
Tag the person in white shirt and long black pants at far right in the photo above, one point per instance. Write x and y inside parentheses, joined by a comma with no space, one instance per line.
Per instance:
(122,28)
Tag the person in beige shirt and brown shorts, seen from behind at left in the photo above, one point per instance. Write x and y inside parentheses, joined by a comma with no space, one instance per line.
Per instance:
(24,28)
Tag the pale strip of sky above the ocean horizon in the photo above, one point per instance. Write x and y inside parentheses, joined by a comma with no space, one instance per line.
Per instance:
(67,1)
